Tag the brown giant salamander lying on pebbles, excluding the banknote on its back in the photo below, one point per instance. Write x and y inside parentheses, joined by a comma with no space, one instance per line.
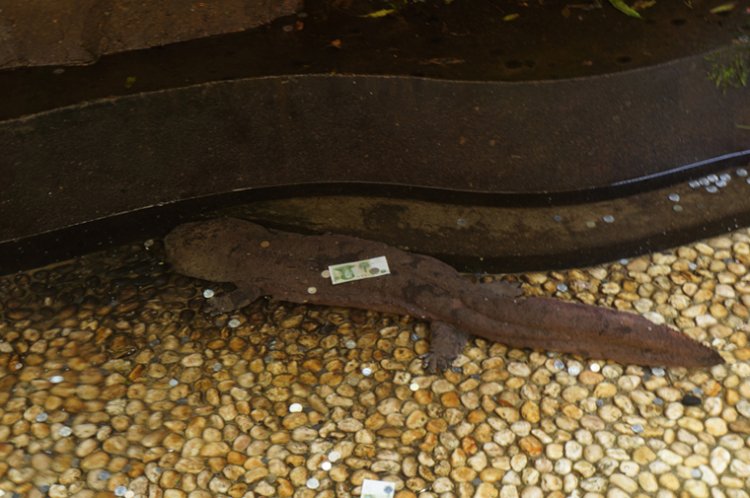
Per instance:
(261,262)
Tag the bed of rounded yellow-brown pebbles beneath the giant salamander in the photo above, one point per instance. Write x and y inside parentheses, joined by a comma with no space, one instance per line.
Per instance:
(115,382)
